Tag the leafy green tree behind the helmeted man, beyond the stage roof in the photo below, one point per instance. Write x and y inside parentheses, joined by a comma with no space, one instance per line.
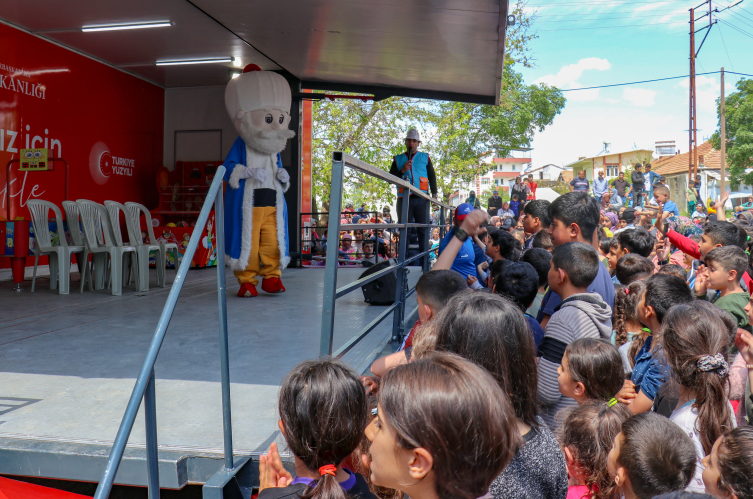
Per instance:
(456,135)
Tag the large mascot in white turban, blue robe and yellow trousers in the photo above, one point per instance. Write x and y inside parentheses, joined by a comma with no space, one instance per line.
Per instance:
(256,216)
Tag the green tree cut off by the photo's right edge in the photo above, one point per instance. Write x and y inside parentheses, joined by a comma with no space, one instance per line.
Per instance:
(739,123)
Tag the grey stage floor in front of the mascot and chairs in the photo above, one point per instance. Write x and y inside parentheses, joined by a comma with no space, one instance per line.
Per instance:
(68,364)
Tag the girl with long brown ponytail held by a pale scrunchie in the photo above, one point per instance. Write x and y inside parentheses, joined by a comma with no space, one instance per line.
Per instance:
(696,339)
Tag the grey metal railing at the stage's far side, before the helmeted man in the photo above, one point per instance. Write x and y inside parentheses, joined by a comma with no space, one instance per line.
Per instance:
(339,161)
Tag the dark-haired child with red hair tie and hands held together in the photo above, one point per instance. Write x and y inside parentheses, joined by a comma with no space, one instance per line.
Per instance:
(323,415)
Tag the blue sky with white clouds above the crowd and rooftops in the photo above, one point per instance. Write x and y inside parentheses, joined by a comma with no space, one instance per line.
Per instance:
(583,43)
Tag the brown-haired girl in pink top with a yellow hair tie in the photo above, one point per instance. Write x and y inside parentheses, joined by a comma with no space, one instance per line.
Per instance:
(586,438)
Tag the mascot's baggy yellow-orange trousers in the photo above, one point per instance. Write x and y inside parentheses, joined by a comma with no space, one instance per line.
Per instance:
(264,259)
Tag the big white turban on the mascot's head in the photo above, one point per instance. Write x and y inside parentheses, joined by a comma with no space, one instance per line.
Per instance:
(256,89)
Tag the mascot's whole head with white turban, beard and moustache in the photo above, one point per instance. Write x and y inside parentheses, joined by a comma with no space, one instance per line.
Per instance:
(258,102)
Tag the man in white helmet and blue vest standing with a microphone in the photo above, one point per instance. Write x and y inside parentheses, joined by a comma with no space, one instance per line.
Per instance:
(415,167)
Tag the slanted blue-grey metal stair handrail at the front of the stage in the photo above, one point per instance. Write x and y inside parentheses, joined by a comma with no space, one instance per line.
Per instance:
(145,383)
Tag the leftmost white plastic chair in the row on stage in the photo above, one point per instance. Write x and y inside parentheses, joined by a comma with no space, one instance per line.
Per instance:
(59,254)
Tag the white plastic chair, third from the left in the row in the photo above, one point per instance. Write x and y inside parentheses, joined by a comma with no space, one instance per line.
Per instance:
(96,223)
